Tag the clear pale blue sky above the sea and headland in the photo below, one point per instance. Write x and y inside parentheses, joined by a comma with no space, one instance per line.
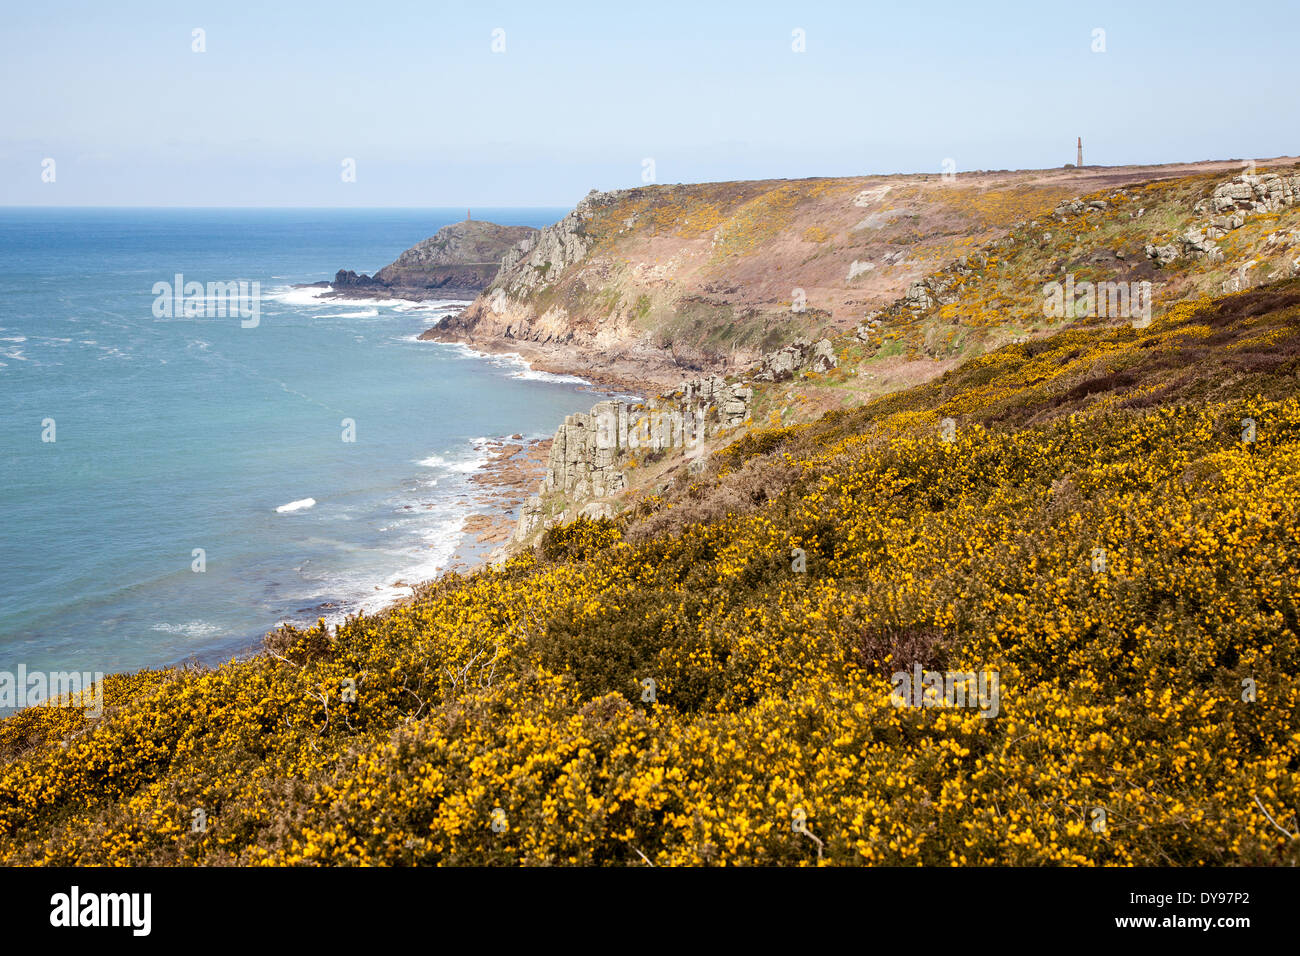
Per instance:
(418,105)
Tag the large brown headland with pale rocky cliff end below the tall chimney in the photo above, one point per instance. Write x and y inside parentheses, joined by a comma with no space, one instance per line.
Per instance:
(653,285)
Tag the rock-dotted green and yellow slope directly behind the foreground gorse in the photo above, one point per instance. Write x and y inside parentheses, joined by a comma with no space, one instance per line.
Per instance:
(994,295)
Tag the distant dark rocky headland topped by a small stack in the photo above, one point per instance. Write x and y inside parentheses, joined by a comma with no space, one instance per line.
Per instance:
(461,258)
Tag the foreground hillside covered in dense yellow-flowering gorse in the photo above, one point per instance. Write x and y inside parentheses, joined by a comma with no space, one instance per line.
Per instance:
(501,719)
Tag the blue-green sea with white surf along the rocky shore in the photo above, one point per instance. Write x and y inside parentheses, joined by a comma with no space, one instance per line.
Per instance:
(181,434)
